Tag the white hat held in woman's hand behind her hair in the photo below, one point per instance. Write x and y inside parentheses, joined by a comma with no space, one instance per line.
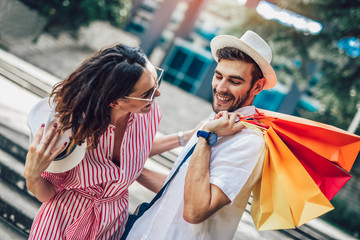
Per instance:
(43,113)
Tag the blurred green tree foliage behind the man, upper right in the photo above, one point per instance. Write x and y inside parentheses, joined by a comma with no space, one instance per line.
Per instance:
(314,60)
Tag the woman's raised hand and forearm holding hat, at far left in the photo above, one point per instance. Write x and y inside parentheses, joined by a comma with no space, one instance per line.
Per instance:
(39,157)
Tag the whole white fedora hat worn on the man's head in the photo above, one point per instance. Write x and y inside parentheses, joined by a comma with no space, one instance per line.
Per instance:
(254,46)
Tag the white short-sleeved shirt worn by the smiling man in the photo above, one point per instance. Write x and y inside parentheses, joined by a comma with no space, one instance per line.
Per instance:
(234,168)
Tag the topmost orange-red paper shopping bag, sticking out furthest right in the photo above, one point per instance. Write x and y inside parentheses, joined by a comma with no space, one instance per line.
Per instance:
(332,143)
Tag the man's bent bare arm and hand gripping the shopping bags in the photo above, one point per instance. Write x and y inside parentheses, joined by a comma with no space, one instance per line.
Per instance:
(202,199)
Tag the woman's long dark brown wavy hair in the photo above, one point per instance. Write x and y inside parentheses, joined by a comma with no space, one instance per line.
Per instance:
(83,98)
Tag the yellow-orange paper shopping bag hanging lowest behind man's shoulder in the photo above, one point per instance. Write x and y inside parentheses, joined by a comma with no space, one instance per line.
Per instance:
(286,196)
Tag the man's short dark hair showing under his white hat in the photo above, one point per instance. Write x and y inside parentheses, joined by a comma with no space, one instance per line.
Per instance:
(231,53)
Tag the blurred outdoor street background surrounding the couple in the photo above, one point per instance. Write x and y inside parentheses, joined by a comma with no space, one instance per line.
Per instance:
(316,49)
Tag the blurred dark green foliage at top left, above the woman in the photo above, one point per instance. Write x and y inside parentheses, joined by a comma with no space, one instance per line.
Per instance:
(71,14)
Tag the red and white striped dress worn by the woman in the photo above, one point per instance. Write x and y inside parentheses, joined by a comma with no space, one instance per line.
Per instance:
(91,200)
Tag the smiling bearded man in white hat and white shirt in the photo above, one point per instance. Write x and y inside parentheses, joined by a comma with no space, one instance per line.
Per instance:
(207,197)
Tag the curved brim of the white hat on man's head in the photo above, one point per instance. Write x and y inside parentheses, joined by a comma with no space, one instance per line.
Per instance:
(223,41)
